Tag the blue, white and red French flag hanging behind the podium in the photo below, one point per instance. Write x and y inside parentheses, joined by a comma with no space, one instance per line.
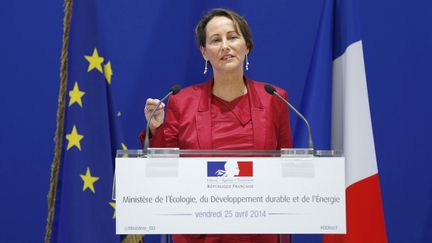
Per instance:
(337,85)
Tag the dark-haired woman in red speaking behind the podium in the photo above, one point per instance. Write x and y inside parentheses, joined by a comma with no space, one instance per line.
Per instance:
(229,111)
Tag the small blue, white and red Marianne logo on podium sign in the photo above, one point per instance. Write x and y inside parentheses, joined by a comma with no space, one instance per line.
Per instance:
(229,168)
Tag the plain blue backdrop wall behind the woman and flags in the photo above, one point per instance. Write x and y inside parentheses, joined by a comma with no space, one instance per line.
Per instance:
(397,42)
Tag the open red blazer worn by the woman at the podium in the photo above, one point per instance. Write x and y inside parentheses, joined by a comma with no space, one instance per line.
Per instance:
(188,119)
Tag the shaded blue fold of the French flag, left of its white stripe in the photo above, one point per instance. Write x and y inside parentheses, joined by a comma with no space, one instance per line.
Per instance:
(316,99)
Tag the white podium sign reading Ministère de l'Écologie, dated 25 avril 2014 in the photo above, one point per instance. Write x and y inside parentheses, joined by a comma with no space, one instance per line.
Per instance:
(218,195)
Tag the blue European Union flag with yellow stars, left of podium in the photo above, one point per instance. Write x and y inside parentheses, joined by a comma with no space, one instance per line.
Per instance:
(84,210)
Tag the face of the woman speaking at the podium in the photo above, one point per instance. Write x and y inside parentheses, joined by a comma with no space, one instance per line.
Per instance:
(225,48)
